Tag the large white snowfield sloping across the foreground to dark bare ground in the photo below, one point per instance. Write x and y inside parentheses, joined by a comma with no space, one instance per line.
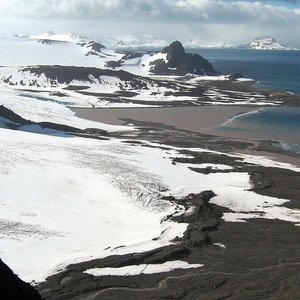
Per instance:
(66,200)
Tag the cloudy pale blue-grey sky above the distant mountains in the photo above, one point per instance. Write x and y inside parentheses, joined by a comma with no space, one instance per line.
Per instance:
(206,22)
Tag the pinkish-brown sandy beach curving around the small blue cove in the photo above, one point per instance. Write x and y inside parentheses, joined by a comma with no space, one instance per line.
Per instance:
(203,120)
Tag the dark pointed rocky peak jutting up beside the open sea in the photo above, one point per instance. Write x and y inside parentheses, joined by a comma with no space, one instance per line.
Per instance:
(180,63)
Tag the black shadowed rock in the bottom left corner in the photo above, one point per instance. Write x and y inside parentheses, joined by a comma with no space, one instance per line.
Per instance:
(13,288)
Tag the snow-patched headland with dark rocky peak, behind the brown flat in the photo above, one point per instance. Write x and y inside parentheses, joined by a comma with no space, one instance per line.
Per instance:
(78,72)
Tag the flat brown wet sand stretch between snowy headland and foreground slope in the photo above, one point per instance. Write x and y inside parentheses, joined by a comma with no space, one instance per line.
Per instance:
(204,119)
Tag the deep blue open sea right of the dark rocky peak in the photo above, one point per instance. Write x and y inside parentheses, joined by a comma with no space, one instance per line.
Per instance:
(278,70)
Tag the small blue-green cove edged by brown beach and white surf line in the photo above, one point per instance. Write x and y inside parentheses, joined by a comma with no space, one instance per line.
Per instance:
(280,124)
